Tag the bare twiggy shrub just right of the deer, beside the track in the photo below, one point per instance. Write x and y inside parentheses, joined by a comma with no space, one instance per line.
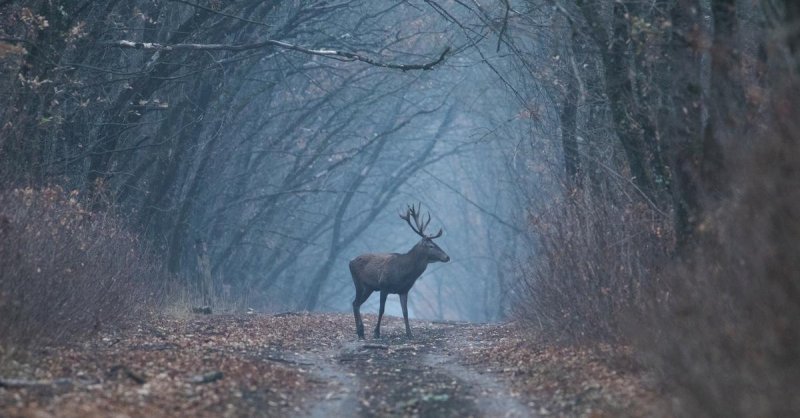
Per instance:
(594,256)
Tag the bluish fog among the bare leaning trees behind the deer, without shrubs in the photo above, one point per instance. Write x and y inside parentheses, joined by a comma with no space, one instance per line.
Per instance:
(259,146)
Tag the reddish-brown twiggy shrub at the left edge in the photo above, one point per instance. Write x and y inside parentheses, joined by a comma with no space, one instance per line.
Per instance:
(65,271)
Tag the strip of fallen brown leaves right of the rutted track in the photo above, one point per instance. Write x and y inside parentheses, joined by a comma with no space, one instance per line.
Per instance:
(563,381)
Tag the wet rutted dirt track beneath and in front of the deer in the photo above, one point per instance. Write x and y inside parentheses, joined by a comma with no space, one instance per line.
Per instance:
(423,376)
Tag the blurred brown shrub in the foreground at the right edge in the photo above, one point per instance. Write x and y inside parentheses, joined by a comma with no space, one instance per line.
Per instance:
(724,332)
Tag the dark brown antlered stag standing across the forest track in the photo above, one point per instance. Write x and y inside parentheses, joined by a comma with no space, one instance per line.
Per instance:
(393,273)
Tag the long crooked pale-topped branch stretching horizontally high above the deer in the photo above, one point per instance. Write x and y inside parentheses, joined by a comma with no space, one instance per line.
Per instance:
(329,53)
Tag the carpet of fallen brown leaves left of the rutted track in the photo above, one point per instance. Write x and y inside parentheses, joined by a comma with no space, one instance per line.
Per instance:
(153,370)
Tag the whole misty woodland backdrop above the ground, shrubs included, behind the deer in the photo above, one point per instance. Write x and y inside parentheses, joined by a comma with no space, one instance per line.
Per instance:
(622,172)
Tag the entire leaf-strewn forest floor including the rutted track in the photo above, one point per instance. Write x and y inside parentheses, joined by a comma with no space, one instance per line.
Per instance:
(312,365)
